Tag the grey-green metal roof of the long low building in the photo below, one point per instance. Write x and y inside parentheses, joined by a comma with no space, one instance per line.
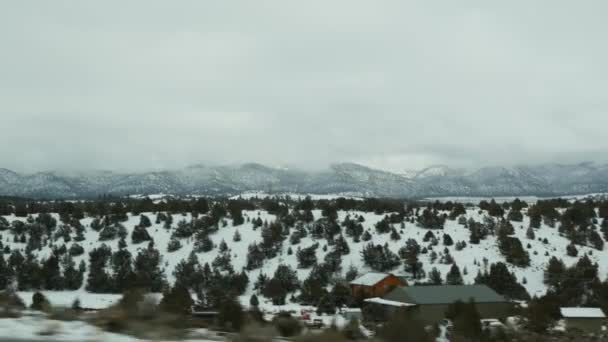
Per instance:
(444,294)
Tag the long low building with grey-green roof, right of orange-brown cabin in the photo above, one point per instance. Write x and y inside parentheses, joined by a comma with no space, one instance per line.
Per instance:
(431,302)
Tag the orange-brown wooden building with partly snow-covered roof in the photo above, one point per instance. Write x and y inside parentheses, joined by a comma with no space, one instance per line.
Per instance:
(375,284)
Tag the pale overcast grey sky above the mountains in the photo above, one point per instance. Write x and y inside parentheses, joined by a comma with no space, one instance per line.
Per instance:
(399,85)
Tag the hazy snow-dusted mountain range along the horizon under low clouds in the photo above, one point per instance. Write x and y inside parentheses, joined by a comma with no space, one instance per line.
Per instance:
(345,178)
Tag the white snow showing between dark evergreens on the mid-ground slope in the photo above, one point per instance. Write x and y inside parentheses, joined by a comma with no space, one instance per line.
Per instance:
(470,258)
